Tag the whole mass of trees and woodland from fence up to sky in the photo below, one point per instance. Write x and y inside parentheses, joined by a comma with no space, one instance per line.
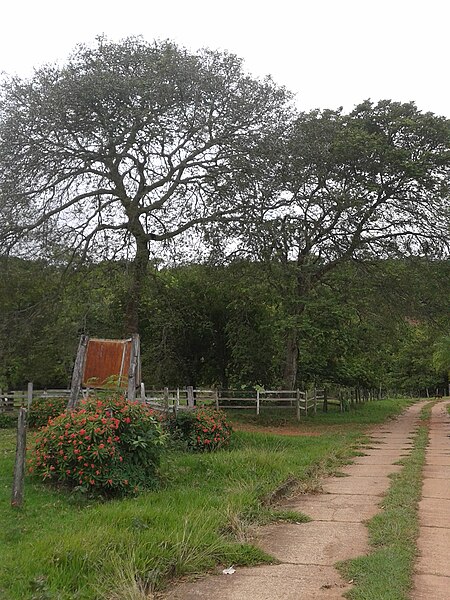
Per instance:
(145,188)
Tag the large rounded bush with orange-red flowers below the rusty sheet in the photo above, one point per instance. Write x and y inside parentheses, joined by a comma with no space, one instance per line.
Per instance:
(109,447)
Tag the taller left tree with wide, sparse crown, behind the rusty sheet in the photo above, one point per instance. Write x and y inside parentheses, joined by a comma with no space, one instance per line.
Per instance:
(128,144)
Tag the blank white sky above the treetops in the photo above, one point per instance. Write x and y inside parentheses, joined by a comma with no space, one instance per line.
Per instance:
(330,53)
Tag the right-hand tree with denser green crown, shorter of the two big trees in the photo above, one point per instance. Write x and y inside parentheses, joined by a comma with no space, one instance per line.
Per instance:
(372,183)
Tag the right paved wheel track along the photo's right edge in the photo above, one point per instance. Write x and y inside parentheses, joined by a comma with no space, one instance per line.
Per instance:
(432,580)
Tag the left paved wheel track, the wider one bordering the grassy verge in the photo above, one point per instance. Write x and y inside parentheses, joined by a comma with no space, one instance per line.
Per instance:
(307,552)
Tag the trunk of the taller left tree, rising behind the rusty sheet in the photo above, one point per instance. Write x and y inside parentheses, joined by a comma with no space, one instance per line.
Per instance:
(138,276)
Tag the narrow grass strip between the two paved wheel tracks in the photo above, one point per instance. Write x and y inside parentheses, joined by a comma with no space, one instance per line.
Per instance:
(386,573)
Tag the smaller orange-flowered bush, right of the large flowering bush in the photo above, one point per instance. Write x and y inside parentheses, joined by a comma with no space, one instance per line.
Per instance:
(204,429)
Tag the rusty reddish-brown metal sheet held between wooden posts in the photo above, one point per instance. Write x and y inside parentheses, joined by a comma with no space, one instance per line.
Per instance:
(107,363)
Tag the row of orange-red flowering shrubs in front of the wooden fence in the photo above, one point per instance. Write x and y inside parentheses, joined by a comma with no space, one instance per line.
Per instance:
(113,447)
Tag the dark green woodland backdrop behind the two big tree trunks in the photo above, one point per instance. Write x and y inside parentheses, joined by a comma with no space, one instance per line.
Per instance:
(367,324)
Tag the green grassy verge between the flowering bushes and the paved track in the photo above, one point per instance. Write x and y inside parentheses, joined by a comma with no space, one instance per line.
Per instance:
(59,547)
